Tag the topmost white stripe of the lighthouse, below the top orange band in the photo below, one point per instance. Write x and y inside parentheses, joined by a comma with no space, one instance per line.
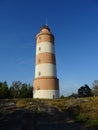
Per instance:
(45,47)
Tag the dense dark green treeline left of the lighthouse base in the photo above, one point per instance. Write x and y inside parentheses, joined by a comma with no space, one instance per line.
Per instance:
(16,90)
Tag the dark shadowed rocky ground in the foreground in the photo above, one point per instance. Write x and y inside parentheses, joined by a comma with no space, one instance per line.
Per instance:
(50,118)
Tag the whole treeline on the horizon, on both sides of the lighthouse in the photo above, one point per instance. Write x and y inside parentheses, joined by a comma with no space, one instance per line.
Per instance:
(23,90)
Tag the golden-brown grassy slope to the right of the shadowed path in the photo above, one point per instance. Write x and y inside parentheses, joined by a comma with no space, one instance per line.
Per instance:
(82,110)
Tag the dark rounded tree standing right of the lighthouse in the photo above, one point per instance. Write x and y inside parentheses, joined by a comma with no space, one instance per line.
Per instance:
(84,91)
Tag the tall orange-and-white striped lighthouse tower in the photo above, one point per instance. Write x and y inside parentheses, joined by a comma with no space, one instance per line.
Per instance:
(46,84)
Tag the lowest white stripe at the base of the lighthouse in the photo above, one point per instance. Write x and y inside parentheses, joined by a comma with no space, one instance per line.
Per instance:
(49,94)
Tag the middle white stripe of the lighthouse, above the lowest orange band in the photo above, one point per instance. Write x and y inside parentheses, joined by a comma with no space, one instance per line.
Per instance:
(45,70)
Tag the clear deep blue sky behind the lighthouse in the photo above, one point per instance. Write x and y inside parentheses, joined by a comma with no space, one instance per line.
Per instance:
(75,26)
